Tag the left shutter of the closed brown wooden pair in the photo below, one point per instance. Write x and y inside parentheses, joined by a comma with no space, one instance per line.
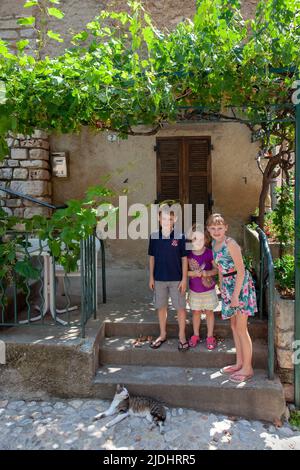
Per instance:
(169,159)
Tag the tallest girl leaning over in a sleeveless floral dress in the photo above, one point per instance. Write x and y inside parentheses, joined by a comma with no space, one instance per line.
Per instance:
(238,296)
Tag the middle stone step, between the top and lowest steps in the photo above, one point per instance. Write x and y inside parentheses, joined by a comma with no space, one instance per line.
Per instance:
(120,351)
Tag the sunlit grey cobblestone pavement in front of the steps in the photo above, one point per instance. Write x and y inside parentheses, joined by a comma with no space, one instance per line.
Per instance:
(68,424)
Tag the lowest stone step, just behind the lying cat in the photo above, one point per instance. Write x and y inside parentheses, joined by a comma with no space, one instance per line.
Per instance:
(196,388)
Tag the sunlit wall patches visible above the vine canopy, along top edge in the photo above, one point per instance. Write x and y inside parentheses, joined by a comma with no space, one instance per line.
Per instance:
(165,14)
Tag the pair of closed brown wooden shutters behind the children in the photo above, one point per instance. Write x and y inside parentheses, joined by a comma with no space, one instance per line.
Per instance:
(184,171)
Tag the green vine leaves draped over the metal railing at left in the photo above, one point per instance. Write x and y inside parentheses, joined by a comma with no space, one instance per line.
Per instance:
(63,232)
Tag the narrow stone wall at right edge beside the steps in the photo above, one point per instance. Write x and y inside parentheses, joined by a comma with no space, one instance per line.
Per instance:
(284,338)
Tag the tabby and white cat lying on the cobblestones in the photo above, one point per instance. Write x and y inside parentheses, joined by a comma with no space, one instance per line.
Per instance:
(123,405)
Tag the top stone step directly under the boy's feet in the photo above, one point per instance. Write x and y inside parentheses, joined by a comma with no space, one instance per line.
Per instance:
(148,326)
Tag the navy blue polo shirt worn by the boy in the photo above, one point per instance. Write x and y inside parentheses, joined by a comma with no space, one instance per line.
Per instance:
(167,254)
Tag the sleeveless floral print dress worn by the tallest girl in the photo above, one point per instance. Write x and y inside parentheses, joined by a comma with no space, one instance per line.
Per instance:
(247,297)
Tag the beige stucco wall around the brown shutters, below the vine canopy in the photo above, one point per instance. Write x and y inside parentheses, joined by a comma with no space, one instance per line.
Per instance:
(92,156)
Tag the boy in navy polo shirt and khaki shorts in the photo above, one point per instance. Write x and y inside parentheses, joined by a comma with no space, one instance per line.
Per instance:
(168,275)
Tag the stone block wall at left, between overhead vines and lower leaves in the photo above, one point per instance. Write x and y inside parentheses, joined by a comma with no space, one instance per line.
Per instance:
(26,170)
